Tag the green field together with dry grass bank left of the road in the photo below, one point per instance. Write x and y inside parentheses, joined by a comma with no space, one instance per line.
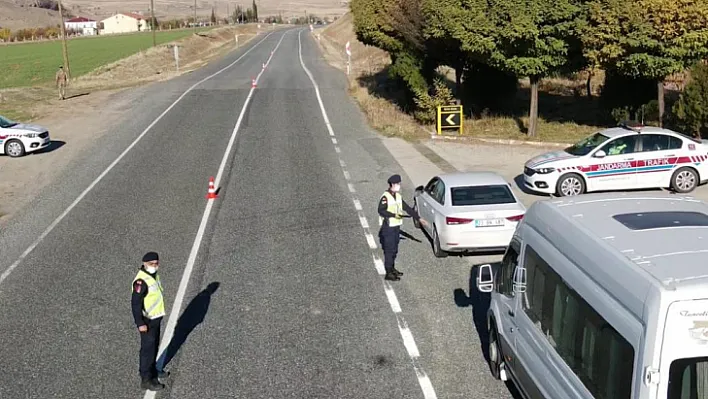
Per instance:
(103,62)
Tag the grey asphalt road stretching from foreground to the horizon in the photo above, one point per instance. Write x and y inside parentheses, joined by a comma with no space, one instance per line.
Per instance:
(284,299)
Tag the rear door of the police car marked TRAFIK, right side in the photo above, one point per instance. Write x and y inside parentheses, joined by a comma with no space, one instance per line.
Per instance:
(658,156)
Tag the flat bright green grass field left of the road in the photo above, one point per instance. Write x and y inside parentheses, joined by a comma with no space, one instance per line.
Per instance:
(36,63)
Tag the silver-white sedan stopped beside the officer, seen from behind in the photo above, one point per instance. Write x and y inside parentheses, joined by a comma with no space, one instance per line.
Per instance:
(468,212)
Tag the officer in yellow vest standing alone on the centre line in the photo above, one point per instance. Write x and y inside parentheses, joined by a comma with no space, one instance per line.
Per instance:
(148,307)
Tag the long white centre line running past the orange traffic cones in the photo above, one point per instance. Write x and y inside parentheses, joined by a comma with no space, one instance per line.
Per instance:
(181,291)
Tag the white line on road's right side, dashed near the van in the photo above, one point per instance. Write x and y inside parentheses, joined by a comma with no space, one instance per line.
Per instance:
(425,385)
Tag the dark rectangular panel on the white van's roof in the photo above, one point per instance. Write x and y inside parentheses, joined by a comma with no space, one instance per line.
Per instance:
(659,220)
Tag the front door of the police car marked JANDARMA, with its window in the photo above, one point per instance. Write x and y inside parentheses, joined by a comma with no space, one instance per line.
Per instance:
(614,165)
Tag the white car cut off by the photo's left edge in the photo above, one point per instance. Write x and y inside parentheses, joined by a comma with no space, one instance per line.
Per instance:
(18,139)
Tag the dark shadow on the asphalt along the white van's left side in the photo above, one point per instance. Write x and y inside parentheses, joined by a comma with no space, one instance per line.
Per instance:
(480,302)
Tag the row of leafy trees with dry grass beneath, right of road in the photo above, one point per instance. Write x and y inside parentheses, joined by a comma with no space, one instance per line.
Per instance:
(544,70)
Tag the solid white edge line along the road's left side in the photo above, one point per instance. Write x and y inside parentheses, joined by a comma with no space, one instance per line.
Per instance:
(61,217)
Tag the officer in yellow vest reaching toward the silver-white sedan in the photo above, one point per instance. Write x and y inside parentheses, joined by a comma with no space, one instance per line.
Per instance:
(391,207)
